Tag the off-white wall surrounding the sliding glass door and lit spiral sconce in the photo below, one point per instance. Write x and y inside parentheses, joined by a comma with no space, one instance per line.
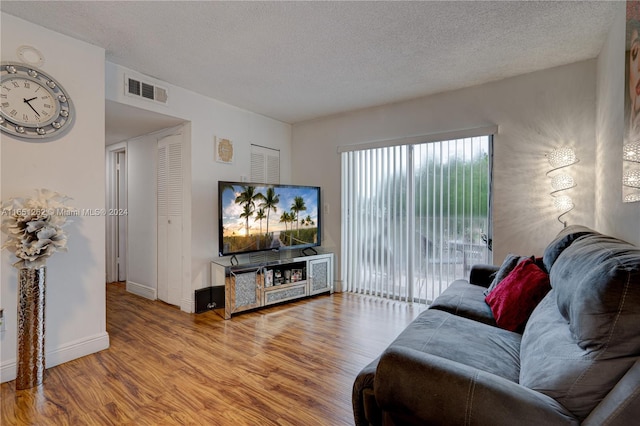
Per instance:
(535,112)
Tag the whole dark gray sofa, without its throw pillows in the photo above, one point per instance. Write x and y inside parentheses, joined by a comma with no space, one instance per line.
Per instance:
(576,362)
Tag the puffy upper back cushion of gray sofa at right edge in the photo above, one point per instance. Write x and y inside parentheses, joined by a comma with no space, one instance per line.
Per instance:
(597,282)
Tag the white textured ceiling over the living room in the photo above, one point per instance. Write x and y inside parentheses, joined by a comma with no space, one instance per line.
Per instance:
(295,61)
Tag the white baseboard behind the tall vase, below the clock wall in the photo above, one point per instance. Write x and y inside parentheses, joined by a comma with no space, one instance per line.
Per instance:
(64,353)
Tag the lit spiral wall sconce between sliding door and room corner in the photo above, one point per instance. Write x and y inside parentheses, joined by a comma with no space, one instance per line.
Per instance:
(560,181)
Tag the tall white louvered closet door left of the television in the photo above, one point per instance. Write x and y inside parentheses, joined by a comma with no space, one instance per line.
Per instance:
(169,187)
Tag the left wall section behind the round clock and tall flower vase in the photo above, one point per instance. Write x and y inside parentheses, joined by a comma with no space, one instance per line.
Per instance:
(73,164)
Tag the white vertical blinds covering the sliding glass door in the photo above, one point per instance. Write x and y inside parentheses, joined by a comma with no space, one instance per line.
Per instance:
(416,216)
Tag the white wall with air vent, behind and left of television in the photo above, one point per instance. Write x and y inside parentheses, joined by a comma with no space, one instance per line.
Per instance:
(208,118)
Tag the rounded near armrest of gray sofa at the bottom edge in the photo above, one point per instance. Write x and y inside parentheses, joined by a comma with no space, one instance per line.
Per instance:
(413,387)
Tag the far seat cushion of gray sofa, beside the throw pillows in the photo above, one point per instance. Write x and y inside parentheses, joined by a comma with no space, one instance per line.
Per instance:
(466,300)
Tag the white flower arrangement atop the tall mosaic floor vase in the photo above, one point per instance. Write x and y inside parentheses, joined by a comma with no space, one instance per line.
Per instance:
(34,227)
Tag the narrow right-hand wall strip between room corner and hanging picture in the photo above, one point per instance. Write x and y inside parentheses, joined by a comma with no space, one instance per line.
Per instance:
(613,217)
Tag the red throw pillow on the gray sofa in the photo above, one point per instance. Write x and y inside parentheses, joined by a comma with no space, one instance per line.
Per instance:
(517,295)
